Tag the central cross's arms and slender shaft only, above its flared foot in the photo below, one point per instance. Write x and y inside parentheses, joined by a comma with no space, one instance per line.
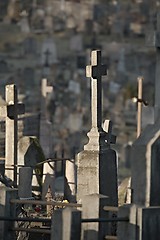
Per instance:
(95,71)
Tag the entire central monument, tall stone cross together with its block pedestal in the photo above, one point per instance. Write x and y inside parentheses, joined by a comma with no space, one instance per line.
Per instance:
(97,163)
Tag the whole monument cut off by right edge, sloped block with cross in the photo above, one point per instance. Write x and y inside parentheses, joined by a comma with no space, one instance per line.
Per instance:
(145,156)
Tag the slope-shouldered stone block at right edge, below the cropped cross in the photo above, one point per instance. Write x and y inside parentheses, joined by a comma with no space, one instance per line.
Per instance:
(145,167)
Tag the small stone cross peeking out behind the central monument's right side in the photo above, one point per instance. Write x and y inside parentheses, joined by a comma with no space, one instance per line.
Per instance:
(107,126)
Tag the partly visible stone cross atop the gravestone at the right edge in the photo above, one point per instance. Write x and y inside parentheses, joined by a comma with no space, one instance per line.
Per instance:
(153,39)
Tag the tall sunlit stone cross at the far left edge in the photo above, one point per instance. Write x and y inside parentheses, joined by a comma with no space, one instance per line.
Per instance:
(11,112)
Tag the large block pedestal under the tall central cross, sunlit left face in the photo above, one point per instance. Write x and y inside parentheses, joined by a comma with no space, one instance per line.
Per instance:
(97,173)
